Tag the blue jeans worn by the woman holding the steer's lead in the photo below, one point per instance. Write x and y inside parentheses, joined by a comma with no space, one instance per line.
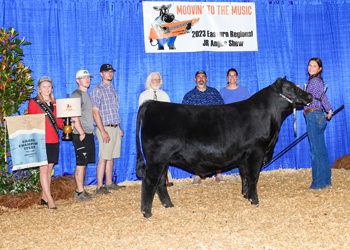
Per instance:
(321,168)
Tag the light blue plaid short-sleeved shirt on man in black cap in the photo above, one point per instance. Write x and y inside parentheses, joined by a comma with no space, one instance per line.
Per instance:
(105,98)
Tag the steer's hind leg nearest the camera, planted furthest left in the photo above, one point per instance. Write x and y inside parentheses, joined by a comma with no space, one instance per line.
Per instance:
(150,181)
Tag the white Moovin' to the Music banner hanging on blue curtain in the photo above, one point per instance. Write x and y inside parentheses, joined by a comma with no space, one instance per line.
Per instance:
(194,26)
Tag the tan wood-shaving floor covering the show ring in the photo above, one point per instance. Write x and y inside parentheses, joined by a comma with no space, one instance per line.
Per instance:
(207,216)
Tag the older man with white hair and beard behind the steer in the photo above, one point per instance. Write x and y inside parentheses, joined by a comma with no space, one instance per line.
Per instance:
(153,84)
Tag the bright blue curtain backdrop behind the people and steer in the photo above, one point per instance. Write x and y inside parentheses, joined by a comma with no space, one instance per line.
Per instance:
(67,36)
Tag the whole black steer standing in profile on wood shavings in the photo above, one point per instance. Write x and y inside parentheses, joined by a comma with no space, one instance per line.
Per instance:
(204,139)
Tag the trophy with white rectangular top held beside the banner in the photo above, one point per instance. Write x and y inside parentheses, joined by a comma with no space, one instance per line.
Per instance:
(66,108)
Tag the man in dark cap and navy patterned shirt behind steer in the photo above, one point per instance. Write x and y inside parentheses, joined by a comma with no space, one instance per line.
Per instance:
(203,95)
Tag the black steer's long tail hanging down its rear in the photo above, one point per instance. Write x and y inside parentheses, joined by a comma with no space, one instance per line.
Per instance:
(140,163)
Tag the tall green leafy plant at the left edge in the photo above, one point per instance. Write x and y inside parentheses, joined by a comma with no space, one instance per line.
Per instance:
(16,86)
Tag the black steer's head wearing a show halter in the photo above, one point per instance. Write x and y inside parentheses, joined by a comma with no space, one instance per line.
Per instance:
(291,93)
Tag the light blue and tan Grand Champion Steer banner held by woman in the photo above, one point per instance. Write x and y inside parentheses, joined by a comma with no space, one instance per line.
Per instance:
(27,140)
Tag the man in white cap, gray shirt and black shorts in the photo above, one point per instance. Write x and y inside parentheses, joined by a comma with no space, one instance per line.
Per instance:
(83,135)
